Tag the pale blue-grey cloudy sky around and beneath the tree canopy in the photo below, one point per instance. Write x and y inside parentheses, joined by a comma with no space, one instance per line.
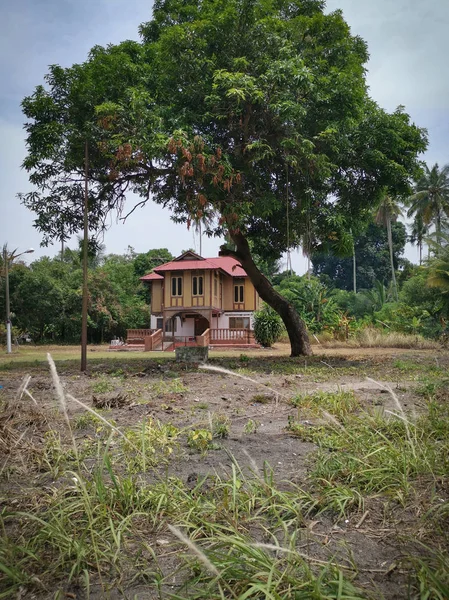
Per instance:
(407,42)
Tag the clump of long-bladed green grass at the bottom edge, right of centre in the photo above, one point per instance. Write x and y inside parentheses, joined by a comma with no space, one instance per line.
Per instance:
(231,565)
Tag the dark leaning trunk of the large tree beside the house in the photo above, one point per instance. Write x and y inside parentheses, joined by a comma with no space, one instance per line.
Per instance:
(296,329)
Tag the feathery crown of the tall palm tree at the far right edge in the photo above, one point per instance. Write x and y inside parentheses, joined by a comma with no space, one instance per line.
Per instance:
(431,197)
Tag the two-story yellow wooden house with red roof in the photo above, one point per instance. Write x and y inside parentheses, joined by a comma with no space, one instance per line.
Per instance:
(192,294)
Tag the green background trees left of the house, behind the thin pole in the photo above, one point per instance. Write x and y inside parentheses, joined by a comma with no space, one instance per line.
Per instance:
(46,297)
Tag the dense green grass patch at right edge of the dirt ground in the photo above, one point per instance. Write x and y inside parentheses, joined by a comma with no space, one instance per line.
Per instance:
(373,454)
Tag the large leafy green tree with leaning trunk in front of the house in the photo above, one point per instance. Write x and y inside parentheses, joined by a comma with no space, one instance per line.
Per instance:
(250,115)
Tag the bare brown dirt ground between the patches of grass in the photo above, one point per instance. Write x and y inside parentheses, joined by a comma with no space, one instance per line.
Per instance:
(253,395)
